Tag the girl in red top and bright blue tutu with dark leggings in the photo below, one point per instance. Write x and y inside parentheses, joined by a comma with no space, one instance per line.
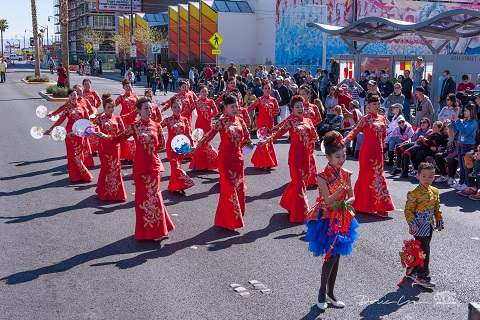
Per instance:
(331,232)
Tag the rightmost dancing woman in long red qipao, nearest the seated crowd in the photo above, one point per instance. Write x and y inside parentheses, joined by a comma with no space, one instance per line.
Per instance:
(371,190)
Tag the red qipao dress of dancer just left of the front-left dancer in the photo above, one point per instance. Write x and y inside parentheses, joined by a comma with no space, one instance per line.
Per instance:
(110,183)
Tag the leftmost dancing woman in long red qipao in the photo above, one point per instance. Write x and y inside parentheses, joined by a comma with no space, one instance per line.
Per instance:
(77,171)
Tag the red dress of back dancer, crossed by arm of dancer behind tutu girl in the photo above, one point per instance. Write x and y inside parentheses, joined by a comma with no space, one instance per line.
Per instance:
(265,156)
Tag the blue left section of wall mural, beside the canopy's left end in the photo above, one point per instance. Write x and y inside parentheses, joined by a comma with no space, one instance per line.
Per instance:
(298,45)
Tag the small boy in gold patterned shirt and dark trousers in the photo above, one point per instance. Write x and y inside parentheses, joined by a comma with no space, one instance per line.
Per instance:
(422,212)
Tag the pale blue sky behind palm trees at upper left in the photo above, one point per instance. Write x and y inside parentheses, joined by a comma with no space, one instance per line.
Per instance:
(19,16)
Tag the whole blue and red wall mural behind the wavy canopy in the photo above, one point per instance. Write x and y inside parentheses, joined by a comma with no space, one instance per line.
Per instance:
(298,45)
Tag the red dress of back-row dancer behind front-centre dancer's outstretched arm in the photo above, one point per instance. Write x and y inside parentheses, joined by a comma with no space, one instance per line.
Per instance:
(206,157)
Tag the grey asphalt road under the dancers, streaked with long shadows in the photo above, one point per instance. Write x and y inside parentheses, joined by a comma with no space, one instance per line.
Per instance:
(67,255)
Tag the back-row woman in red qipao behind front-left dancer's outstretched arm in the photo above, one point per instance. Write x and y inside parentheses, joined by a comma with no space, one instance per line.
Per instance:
(127,101)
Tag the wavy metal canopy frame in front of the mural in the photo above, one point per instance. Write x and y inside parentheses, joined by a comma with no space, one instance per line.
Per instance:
(449,25)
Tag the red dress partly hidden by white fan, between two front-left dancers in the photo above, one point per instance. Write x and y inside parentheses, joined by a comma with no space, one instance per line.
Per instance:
(179,180)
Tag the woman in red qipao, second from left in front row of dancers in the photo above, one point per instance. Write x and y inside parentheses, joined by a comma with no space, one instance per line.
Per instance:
(233,136)
